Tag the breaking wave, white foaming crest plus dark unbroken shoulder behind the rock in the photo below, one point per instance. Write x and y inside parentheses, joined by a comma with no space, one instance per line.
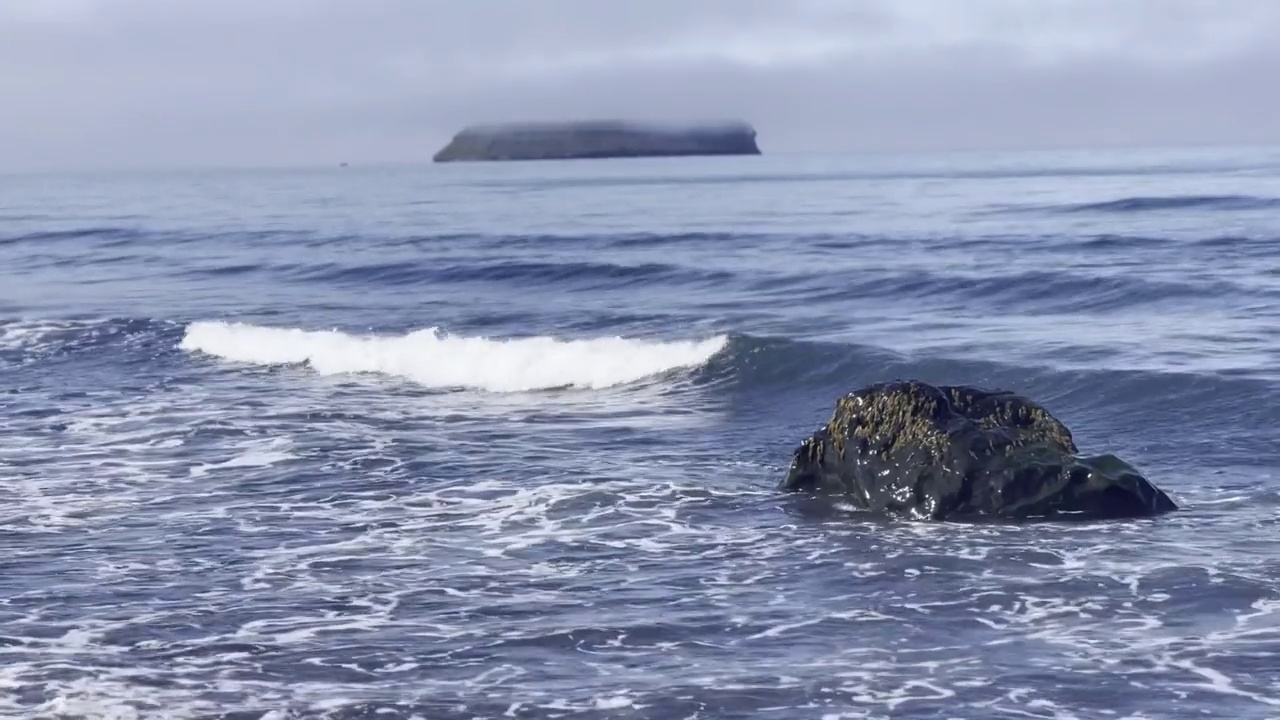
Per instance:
(769,372)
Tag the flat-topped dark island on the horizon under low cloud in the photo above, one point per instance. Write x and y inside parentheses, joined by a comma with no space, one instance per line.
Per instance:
(597,139)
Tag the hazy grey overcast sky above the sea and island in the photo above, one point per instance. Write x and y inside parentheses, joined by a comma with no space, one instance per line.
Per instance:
(266,83)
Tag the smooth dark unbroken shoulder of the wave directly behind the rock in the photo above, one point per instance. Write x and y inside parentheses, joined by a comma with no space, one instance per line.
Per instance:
(1213,414)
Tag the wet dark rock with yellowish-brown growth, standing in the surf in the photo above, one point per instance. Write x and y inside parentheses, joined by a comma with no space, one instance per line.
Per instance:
(921,452)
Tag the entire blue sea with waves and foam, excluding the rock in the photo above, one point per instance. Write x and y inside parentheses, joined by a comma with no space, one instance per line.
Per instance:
(482,441)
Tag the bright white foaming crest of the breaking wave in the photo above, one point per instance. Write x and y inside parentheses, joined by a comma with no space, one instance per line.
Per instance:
(444,362)
